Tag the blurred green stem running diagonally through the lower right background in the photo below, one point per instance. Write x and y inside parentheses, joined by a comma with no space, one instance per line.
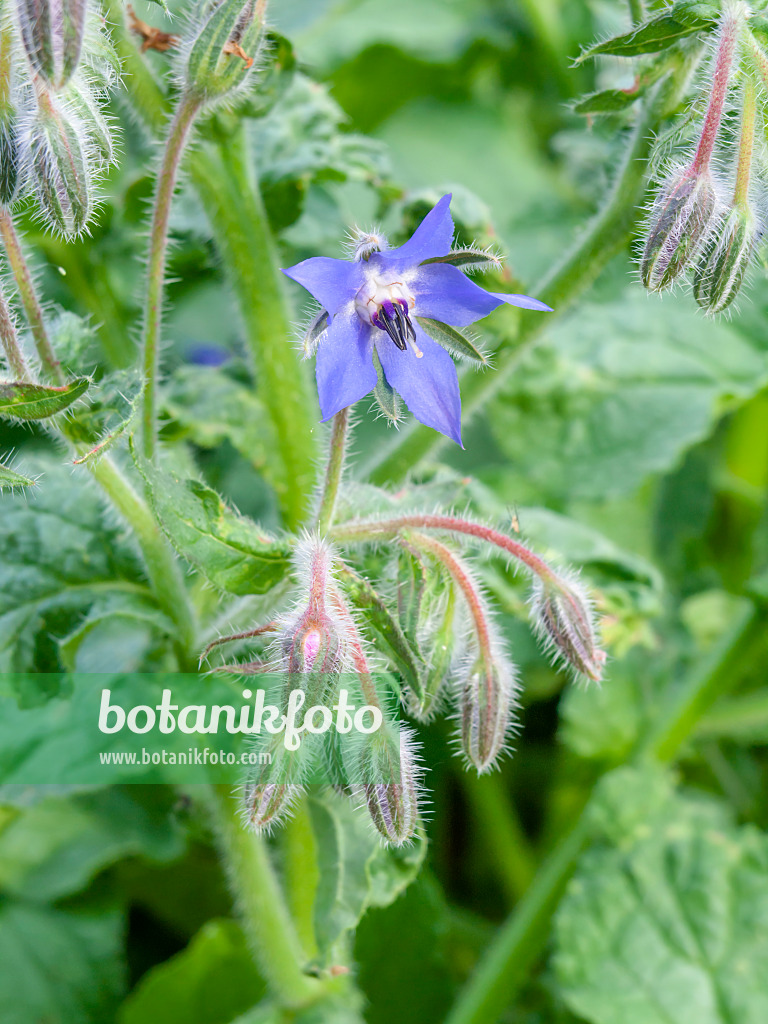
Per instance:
(521,942)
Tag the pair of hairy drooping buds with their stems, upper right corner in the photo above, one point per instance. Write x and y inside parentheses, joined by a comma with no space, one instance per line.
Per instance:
(706,224)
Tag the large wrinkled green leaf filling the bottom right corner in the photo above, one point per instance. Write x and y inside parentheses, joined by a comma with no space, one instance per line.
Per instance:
(666,917)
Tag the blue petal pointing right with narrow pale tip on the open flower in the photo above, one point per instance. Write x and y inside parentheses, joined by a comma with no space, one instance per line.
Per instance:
(445,294)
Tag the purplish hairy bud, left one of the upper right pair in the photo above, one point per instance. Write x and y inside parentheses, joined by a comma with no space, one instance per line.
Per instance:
(680,222)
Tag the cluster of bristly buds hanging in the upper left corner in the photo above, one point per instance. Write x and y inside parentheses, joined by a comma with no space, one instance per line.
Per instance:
(57,64)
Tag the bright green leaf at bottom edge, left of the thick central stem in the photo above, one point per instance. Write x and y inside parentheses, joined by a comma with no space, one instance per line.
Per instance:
(212,982)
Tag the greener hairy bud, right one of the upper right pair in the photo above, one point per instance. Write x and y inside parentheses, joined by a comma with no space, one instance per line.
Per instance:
(722,268)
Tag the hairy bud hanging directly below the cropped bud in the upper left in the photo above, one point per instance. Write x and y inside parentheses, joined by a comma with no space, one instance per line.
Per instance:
(59,167)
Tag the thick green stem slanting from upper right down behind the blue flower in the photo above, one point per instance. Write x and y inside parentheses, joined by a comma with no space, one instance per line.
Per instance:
(608,234)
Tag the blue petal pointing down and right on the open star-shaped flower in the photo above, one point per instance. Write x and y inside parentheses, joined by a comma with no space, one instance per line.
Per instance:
(430,387)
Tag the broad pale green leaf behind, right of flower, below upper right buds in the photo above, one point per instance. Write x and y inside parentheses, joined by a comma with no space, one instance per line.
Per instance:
(620,392)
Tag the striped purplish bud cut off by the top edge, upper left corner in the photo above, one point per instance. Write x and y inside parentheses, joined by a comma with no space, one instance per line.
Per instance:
(53,36)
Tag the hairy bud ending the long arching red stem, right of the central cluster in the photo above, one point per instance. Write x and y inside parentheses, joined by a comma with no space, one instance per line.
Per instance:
(563,615)
